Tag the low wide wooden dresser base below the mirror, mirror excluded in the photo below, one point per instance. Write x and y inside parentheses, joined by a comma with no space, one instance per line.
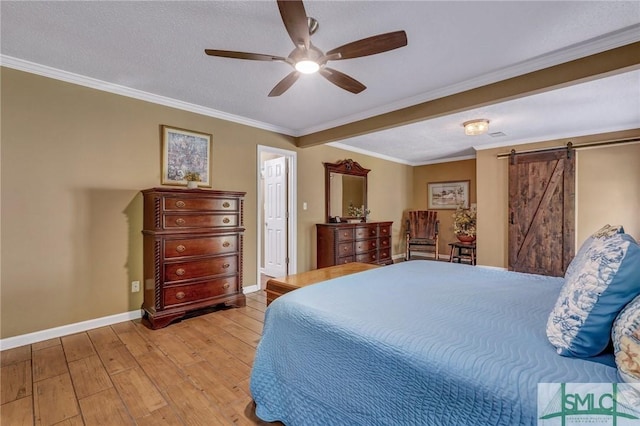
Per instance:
(339,243)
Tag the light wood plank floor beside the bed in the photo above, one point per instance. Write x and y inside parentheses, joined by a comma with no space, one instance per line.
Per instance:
(195,372)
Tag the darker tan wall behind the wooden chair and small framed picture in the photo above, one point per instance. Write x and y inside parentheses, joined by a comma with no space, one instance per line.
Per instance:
(442,172)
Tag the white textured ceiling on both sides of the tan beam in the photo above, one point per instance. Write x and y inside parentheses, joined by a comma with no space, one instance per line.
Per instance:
(156,49)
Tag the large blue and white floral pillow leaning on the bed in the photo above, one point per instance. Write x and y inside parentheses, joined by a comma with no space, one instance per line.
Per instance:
(603,280)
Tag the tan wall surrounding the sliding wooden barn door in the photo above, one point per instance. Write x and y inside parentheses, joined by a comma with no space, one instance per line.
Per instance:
(607,191)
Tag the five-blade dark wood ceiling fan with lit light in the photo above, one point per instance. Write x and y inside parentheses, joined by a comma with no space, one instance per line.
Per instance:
(306,58)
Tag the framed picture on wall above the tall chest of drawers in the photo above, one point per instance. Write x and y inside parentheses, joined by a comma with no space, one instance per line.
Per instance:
(186,156)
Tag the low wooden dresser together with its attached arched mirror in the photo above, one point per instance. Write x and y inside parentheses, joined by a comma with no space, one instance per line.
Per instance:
(347,238)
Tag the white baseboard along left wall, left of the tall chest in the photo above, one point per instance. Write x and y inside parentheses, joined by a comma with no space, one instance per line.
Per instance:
(64,330)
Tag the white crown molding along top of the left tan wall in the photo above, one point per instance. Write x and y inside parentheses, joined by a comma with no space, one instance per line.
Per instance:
(93,83)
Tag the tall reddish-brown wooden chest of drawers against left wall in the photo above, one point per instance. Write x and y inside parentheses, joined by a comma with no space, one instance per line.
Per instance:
(192,252)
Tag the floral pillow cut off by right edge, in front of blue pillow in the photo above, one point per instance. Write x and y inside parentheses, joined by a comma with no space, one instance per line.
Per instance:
(626,342)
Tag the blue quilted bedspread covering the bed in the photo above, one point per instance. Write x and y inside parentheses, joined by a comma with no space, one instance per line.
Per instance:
(415,343)
